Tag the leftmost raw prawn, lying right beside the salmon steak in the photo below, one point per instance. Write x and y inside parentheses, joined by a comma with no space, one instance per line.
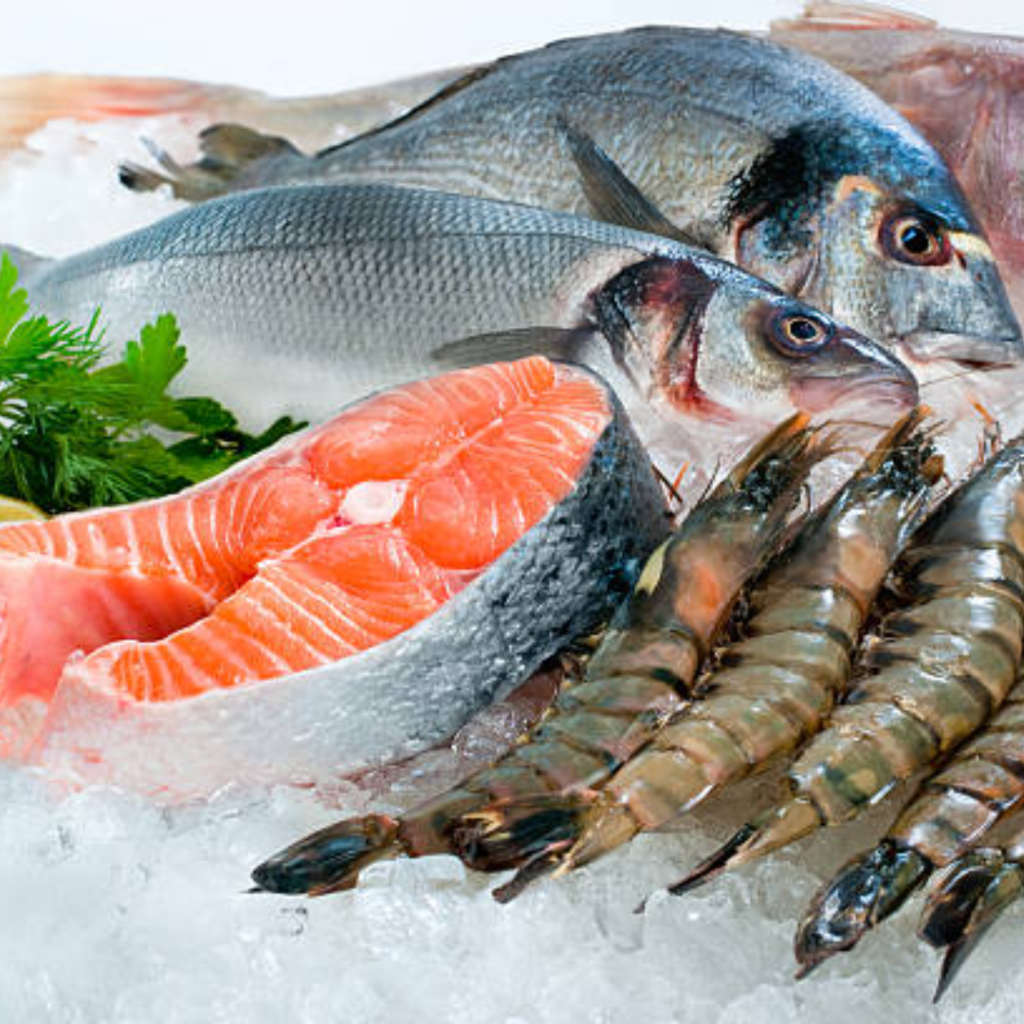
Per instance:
(642,673)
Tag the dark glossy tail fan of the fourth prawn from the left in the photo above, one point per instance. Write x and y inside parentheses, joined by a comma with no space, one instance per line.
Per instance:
(865,892)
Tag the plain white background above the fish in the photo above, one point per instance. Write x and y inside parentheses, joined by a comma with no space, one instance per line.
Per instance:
(300,47)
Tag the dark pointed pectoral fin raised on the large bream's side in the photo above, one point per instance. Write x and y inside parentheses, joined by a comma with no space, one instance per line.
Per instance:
(612,195)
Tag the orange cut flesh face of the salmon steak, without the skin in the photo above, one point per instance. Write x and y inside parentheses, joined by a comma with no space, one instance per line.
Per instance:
(329,544)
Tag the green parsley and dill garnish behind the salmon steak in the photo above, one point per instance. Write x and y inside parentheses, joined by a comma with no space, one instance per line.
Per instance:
(76,436)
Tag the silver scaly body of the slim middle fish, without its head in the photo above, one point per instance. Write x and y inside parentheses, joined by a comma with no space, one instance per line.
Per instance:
(294,279)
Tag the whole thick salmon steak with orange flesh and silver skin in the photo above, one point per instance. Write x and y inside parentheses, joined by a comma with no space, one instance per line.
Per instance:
(350,598)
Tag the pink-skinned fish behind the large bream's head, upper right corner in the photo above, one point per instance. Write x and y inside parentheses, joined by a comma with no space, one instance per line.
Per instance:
(961,90)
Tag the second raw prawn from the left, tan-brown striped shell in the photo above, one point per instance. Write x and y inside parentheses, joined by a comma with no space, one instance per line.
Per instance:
(777,686)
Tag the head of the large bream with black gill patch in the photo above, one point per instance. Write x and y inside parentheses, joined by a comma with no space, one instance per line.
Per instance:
(876,231)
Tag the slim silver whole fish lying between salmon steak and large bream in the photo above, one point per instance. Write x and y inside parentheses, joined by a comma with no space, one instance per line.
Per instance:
(295,301)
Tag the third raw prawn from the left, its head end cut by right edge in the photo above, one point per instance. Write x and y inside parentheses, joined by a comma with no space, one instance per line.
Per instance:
(942,665)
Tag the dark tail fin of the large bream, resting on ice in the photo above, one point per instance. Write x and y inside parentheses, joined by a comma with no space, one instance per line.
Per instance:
(230,153)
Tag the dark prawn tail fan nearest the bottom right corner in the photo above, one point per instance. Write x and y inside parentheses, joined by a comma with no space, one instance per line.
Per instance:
(966,902)
